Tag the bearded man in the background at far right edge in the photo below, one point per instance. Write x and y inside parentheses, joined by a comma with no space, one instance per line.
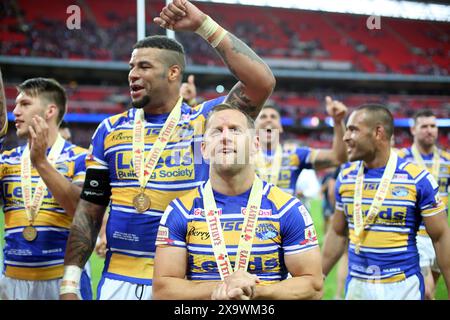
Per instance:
(425,153)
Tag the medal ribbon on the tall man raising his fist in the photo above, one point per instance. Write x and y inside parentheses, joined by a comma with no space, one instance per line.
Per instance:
(144,171)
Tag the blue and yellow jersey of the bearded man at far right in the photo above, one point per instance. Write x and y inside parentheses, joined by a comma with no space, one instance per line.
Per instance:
(444,175)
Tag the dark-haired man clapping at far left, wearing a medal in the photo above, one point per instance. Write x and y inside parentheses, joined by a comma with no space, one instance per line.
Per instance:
(41,183)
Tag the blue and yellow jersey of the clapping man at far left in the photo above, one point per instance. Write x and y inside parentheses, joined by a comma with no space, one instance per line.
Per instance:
(43,258)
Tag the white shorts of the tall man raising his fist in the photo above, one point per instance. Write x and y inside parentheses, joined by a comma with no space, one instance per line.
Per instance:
(110,289)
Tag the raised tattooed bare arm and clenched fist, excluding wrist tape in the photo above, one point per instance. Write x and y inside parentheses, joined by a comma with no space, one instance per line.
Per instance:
(256,81)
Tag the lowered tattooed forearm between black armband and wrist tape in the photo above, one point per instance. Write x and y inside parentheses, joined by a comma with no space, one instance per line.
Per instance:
(83,233)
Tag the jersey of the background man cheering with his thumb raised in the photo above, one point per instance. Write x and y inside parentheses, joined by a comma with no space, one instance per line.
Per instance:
(294,160)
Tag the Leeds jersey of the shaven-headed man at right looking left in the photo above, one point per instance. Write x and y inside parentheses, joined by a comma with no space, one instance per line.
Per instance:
(389,249)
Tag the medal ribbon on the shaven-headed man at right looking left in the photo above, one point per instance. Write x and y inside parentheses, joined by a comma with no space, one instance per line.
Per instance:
(380,195)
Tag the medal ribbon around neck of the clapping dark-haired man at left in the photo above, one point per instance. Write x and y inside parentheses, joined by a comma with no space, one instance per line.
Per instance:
(33,203)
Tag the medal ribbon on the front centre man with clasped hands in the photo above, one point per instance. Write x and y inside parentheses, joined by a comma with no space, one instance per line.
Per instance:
(247,234)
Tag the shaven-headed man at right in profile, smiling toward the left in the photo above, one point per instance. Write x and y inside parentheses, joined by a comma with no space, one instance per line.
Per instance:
(380,202)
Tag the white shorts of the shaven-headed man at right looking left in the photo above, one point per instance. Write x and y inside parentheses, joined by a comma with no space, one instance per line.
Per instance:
(410,289)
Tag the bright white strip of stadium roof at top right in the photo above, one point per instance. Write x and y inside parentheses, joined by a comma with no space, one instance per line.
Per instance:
(387,8)
